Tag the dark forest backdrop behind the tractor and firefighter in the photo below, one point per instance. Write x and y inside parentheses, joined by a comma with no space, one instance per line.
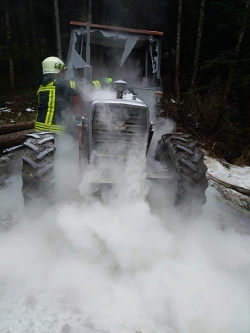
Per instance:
(205,59)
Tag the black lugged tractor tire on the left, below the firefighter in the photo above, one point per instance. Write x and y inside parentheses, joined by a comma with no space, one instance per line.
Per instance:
(38,169)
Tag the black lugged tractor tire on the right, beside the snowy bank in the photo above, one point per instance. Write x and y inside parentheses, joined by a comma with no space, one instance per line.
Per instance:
(183,158)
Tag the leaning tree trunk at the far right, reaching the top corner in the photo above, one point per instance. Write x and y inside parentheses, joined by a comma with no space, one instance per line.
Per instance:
(237,52)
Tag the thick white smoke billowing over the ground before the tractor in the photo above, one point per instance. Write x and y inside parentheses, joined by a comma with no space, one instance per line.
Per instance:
(124,264)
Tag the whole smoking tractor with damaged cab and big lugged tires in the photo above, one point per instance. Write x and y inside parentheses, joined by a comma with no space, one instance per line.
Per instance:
(118,118)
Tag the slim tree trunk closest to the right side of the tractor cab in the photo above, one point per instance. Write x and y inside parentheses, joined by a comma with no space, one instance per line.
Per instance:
(177,60)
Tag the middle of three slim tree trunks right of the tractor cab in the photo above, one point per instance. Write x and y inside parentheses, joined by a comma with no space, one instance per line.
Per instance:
(198,45)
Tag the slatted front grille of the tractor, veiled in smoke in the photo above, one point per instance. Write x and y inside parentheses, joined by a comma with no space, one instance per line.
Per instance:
(118,130)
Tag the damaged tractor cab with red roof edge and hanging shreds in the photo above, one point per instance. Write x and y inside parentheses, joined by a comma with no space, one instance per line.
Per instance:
(132,55)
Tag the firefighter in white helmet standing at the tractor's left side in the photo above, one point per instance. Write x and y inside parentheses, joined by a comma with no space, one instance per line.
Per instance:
(56,97)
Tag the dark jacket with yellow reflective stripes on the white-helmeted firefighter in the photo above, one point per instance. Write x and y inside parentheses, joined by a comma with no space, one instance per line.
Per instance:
(54,99)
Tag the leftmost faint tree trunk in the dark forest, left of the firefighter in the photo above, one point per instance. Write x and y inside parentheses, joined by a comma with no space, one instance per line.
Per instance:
(9,45)
